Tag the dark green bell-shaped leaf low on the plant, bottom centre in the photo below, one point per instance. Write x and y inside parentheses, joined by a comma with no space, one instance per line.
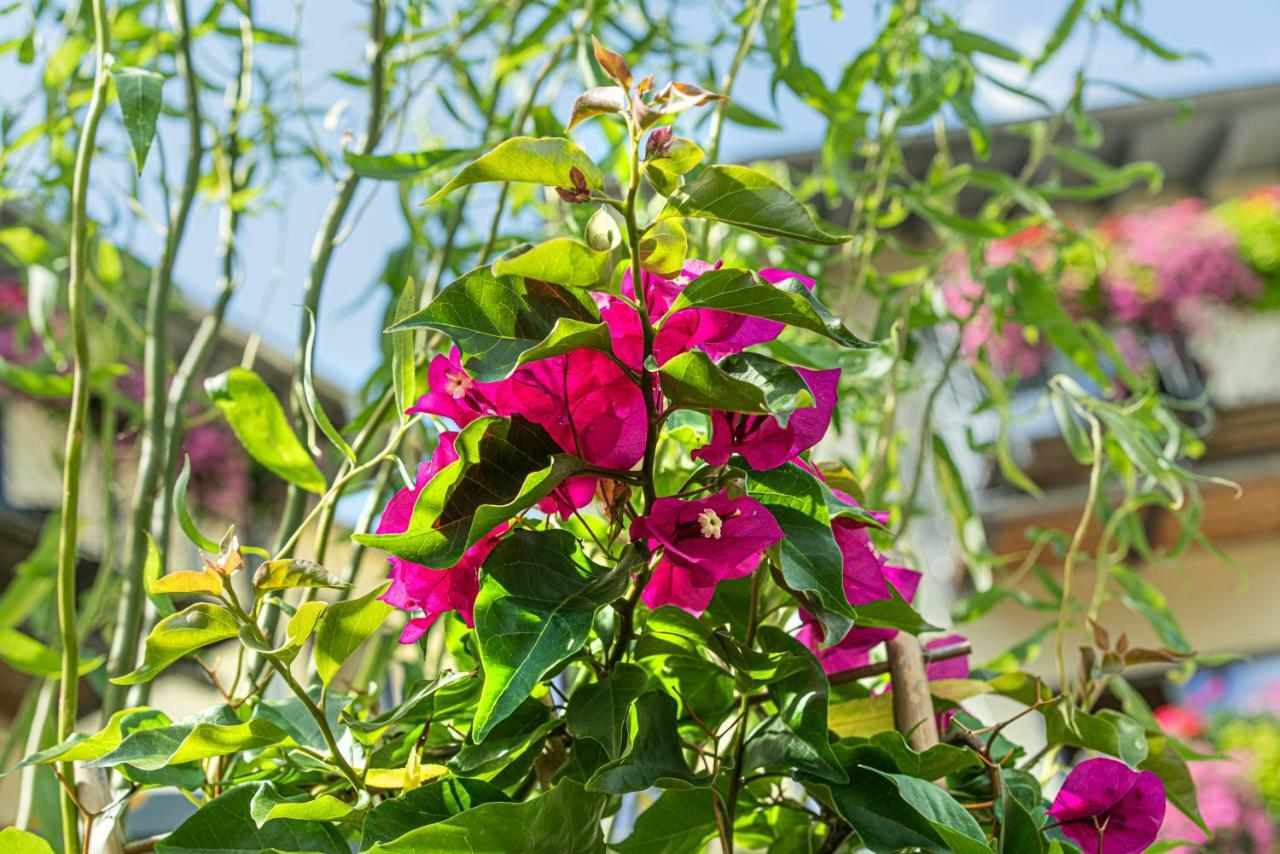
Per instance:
(656,757)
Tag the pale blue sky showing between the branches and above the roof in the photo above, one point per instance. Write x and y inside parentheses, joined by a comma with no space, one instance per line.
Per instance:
(1238,38)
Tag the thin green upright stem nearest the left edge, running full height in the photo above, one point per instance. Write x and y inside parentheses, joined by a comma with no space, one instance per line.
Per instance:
(75,451)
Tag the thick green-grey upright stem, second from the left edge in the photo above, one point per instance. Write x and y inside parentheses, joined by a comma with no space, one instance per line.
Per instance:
(130,625)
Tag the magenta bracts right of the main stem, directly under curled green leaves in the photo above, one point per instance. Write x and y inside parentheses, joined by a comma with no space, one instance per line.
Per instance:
(761,440)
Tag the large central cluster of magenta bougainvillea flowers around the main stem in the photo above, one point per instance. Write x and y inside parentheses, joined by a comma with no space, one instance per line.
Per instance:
(593,409)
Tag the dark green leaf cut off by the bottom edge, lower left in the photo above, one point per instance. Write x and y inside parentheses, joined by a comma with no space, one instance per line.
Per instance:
(226,825)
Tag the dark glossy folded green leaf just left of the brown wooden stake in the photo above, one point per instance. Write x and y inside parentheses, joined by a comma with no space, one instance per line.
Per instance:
(797,737)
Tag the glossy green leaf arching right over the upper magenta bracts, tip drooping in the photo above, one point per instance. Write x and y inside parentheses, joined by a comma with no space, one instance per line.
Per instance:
(746,293)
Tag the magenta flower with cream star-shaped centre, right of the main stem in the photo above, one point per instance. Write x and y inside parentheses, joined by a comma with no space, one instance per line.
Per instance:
(703,542)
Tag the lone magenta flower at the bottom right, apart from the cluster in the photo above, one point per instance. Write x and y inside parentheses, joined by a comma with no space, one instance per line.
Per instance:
(1108,809)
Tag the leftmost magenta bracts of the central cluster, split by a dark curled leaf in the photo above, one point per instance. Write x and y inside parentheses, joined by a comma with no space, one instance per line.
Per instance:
(432,591)
